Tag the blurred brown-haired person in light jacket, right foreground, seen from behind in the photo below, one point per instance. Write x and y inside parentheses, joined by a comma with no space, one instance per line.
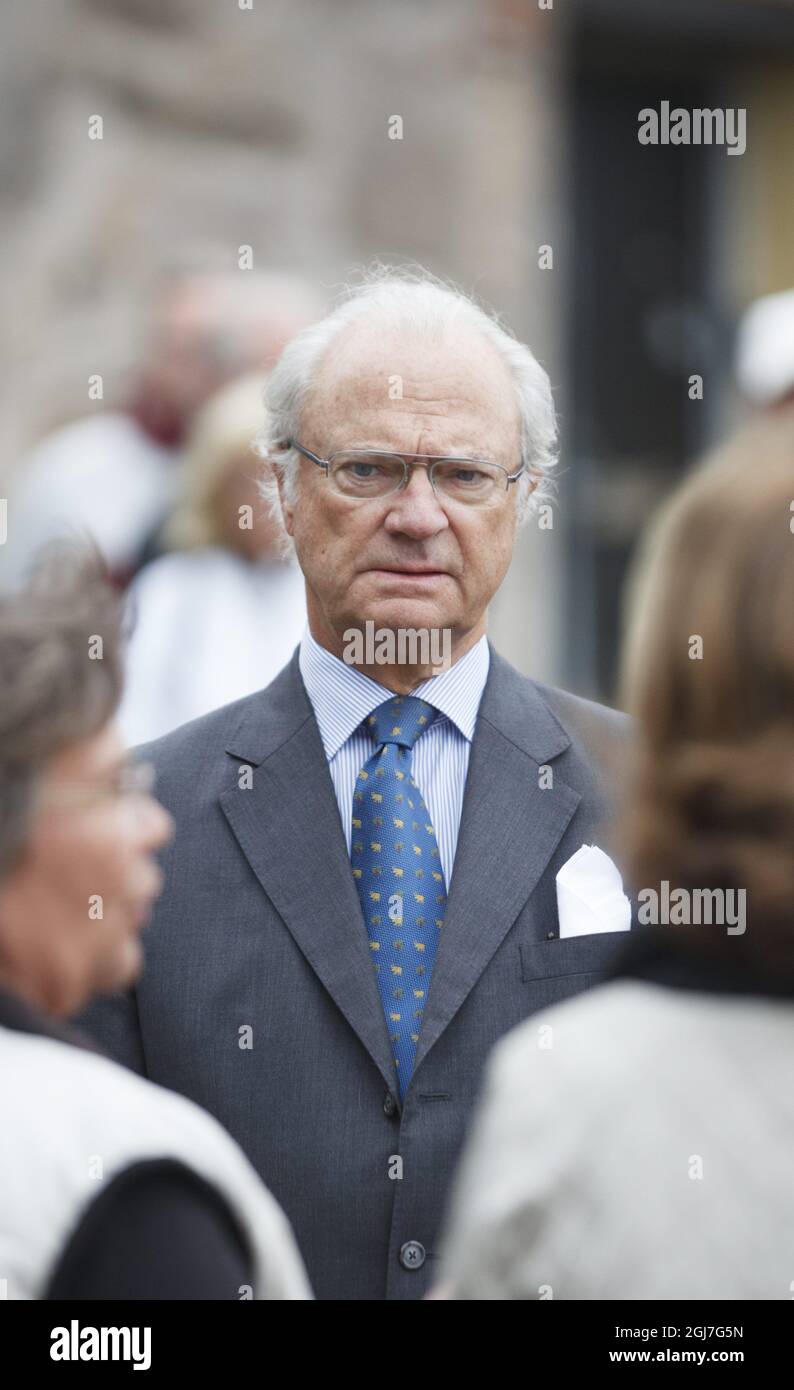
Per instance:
(639,1143)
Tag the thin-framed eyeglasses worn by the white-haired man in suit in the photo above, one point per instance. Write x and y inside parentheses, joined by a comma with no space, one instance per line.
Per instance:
(371,475)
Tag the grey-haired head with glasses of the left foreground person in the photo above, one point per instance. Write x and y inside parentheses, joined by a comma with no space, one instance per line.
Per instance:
(79,831)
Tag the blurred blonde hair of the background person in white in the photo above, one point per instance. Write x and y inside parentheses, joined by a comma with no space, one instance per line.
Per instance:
(223,430)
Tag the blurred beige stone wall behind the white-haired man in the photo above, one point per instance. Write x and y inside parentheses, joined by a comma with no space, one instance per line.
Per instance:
(269,127)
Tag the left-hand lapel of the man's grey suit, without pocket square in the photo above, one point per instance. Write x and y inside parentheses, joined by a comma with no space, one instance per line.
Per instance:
(289,826)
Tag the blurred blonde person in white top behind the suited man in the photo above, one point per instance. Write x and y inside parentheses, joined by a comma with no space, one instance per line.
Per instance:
(220,616)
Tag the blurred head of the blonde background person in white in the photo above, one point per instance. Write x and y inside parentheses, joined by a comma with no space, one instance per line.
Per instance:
(220,504)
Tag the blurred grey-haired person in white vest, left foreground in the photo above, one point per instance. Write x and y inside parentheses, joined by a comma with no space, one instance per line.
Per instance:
(111,1188)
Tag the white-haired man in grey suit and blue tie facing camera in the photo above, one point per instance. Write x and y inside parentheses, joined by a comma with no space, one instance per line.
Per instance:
(361,896)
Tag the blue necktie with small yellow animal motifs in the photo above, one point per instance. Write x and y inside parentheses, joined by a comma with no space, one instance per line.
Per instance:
(398,872)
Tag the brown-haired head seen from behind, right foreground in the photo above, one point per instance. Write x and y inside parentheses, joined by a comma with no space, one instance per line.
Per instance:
(708,671)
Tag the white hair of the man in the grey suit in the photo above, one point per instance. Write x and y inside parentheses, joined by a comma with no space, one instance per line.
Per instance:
(407,298)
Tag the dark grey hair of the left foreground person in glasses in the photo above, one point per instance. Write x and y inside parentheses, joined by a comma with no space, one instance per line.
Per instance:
(52,693)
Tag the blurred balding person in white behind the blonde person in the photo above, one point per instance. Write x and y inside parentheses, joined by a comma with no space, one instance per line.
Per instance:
(112,475)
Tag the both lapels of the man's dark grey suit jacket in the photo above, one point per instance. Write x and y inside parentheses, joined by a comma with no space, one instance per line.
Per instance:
(287,824)
